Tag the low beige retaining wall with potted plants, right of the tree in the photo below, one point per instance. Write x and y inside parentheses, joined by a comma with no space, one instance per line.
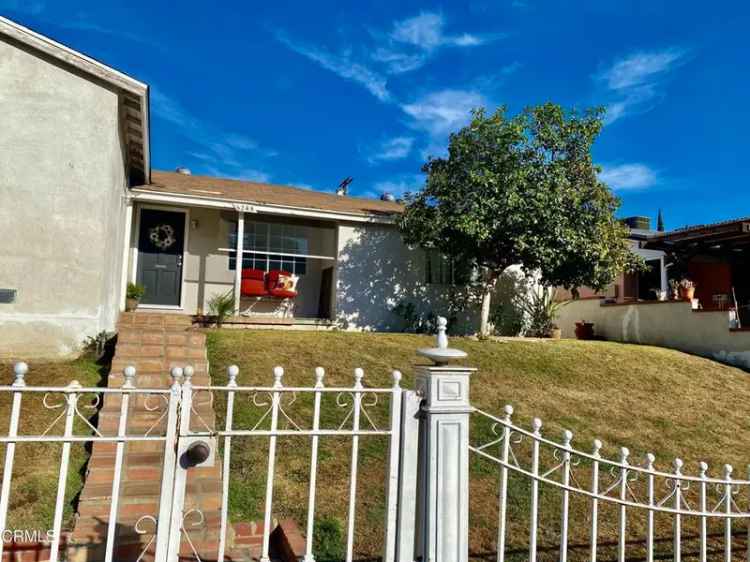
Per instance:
(670,324)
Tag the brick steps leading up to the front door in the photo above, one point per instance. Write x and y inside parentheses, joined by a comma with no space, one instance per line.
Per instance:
(153,343)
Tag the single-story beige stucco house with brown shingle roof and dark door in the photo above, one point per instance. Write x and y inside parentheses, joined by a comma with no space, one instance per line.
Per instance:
(83,215)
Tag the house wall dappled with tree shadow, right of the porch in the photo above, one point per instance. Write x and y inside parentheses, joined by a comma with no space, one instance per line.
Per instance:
(376,271)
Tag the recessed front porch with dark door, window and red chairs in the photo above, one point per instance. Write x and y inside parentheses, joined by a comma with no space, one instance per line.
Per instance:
(186,255)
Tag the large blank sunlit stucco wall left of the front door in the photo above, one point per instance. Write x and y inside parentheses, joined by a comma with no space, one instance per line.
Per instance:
(62,181)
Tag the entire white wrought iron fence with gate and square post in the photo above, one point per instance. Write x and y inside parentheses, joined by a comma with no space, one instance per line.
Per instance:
(550,492)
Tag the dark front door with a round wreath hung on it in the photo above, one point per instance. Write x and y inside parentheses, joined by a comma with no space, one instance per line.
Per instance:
(160,245)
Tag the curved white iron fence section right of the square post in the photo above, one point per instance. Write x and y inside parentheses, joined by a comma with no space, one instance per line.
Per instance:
(687,506)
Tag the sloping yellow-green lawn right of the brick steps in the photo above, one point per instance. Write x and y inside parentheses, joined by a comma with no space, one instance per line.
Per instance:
(646,398)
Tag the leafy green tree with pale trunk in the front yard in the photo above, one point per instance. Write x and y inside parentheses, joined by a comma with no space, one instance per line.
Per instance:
(522,190)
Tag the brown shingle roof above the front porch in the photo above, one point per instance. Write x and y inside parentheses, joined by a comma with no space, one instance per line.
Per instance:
(264,193)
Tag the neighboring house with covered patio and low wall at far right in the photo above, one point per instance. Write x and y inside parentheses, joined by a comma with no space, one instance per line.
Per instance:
(716,323)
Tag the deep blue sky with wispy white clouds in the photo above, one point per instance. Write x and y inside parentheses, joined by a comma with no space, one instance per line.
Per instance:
(307,93)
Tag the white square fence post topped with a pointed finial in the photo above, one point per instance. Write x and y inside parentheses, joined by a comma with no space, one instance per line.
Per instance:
(443,491)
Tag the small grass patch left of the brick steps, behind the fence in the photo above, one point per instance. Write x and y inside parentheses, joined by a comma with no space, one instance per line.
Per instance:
(36,465)
